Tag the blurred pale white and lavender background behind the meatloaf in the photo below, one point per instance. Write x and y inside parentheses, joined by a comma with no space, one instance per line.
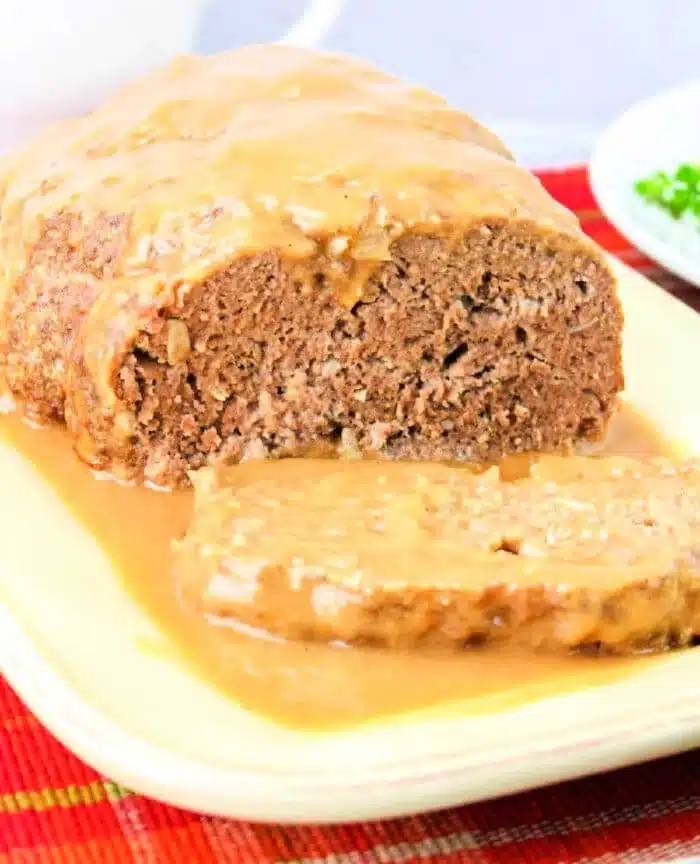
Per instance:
(547,75)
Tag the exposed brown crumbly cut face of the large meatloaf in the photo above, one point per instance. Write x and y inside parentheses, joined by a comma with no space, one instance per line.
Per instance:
(499,343)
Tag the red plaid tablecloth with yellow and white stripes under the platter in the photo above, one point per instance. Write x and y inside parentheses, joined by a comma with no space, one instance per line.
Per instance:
(53,808)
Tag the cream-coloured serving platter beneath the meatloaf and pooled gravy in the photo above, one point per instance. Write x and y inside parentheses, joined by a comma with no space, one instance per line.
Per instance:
(72,643)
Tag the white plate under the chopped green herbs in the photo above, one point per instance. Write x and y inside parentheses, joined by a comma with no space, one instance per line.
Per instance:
(658,133)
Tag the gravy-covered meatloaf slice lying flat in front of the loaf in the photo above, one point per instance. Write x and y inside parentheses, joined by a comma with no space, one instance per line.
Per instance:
(583,553)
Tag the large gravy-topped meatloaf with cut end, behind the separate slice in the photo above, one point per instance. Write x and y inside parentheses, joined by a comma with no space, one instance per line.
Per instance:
(259,252)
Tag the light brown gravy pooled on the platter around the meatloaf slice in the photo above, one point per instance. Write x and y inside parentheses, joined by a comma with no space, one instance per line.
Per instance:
(303,686)
